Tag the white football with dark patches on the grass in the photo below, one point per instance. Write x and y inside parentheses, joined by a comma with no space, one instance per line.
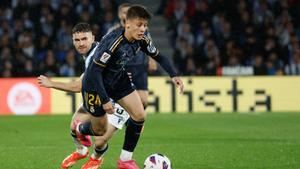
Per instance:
(157,161)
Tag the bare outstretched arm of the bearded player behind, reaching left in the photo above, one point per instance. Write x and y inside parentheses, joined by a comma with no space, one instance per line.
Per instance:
(74,86)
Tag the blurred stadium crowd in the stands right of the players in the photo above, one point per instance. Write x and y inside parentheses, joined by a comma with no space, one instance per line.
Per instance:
(209,34)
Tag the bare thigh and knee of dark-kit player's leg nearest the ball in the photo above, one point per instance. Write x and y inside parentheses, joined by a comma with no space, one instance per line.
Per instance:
(133,105)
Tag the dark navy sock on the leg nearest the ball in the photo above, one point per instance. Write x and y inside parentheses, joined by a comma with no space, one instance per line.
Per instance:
(132,134)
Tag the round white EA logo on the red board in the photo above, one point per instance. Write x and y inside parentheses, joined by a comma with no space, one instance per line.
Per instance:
(24,99)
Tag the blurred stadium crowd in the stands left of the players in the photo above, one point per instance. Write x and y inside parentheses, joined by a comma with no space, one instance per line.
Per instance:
(36,38)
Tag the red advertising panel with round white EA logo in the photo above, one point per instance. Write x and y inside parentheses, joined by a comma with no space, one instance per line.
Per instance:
(23,96)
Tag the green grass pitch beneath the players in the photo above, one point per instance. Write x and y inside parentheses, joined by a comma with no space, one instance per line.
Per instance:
(191,141)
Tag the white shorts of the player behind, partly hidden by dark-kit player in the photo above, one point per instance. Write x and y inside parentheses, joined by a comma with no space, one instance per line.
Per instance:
(119,118)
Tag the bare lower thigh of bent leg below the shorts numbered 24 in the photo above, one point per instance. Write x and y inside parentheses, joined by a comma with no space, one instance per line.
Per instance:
(99,124)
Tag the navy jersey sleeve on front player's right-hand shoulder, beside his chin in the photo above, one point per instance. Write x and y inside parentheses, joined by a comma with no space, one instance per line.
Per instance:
(148,46)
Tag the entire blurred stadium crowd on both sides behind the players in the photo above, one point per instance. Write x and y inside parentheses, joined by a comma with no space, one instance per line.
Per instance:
(206,35)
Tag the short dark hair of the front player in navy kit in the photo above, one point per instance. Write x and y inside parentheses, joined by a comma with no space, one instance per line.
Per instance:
(138,11)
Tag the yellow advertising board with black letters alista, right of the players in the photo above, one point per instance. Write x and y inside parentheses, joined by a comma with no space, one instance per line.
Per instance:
(209,94)
